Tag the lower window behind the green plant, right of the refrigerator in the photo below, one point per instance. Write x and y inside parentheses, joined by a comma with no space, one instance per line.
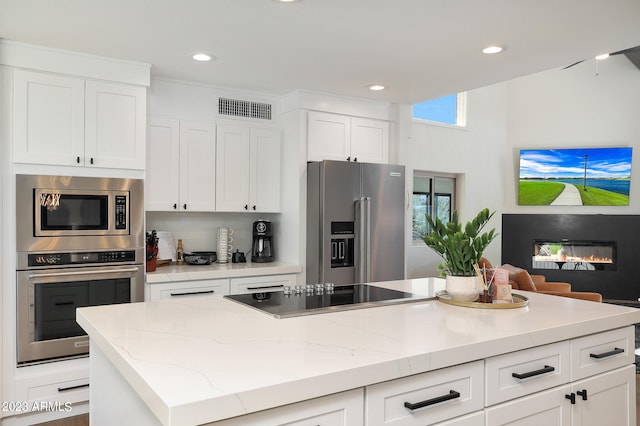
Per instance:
(434,196)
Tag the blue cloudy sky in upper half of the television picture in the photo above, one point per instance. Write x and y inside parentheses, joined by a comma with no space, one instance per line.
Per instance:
(569,163)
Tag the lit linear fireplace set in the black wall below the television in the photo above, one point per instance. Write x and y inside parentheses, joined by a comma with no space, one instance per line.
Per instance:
(574,255)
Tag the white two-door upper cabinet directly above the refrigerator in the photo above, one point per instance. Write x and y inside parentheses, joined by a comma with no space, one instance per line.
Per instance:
(341,137)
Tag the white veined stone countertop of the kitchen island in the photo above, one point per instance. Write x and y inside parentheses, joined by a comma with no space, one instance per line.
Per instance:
(197,360)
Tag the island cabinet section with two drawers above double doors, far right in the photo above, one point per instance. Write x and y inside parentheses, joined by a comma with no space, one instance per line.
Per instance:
(597,386)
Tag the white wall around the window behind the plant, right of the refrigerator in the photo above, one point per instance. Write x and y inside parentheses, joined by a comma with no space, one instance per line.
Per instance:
(477,153)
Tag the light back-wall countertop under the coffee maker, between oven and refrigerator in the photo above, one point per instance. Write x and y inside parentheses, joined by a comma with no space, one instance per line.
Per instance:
(185,272)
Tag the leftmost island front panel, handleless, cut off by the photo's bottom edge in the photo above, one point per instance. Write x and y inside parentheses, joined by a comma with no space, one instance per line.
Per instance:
(340,409)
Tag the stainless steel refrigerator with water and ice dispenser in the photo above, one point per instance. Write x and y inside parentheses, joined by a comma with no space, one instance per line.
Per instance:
(355,222)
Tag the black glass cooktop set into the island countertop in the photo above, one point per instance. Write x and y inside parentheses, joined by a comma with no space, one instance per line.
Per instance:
(306,300)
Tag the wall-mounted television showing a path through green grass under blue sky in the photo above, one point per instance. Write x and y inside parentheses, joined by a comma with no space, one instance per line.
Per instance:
(575,177)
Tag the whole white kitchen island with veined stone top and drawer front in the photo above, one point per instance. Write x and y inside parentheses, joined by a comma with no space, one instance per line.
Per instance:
(200,360)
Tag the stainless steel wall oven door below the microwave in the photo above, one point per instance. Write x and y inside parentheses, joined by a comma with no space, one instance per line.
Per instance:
(47,300)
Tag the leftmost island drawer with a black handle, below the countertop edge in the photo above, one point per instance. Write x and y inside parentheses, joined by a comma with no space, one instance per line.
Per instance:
(427,398)
